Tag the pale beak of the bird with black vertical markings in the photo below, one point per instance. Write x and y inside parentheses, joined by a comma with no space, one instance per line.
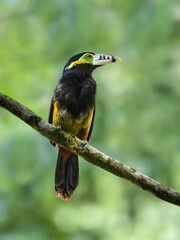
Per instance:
(102,59)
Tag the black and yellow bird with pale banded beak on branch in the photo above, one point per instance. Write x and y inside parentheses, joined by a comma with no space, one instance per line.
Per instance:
(73,109)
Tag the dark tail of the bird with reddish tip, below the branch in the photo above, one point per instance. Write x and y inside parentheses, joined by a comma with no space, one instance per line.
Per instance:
(66,175)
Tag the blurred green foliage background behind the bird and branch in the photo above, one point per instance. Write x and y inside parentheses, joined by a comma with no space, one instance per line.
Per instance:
(137,117)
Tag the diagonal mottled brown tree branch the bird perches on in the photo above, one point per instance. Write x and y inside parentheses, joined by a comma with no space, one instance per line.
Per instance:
(88,152)
